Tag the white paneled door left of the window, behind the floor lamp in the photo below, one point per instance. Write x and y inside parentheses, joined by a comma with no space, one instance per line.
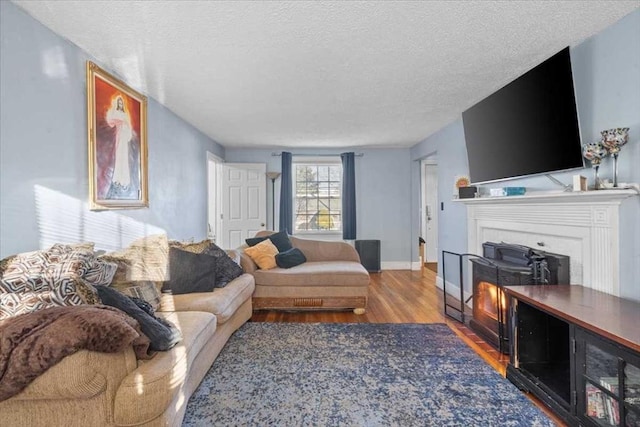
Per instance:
(244,202)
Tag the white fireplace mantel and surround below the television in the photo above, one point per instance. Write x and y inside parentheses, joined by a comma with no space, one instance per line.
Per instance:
(583,225)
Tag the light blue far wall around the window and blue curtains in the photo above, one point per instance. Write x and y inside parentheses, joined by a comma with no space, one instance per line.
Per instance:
(382,194)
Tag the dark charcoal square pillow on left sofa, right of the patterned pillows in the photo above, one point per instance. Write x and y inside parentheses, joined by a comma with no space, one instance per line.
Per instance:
(190,272)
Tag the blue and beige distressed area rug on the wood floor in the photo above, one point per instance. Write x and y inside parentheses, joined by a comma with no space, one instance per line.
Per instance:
(360,374)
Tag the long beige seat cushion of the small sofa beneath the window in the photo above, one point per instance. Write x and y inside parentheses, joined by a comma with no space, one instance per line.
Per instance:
(332,273)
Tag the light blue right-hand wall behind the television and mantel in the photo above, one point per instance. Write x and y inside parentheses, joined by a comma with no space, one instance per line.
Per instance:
(606,71)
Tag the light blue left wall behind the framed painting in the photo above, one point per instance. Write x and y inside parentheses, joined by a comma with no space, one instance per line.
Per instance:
(43,151)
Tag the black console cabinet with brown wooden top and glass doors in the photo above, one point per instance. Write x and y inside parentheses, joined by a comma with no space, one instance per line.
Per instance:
(578,350)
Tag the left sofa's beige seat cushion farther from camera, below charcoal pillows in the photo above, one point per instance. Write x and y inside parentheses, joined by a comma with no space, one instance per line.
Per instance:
(221,302)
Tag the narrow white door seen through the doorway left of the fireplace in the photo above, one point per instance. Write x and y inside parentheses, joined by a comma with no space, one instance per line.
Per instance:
(430,211)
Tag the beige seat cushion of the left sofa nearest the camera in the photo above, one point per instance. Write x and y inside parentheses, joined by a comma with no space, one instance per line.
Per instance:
(147,392)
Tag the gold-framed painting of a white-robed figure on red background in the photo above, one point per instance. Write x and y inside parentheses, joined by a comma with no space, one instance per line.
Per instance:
(117,127)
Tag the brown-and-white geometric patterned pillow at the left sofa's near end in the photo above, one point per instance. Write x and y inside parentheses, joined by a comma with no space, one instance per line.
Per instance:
(43,279)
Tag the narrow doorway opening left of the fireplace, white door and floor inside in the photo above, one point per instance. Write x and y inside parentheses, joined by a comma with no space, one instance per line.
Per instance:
(429,213)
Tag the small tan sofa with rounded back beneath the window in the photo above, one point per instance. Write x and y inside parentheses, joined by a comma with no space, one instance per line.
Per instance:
(332,278)
